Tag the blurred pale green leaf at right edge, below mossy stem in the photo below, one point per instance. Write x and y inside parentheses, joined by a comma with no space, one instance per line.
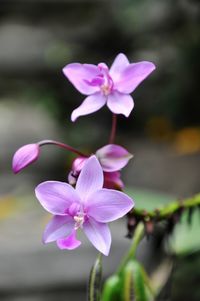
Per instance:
(185,238)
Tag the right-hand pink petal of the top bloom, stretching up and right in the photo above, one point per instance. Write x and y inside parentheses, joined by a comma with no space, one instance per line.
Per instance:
(132,76)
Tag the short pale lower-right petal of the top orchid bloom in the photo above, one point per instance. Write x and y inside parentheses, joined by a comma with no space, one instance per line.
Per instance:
(120,103)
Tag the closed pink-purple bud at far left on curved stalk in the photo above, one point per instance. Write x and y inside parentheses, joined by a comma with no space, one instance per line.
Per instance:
(24,156)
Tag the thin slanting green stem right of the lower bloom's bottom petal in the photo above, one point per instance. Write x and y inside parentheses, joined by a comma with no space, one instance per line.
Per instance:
(138,236)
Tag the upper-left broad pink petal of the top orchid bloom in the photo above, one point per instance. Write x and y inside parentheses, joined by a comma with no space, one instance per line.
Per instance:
(80,75)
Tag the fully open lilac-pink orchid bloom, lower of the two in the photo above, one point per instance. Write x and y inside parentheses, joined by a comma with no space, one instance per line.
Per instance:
(88,207)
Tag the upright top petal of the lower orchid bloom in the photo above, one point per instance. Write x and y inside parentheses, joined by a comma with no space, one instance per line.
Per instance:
(90,178)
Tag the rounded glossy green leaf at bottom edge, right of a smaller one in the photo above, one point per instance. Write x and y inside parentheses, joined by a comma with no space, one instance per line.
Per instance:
(133,283)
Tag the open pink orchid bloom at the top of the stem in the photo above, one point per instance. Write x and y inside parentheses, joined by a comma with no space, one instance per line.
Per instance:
(107,86)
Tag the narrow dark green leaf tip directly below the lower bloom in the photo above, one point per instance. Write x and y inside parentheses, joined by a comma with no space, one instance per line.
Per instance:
(94,291)
